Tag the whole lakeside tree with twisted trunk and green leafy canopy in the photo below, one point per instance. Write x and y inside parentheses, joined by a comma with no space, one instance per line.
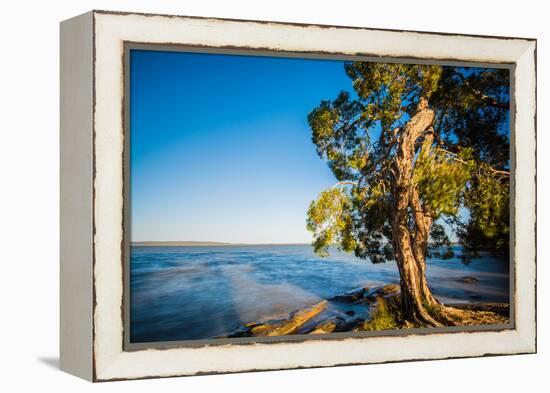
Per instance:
(413,147)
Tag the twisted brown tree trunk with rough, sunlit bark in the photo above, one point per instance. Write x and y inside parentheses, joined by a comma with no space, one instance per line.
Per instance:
(411,225)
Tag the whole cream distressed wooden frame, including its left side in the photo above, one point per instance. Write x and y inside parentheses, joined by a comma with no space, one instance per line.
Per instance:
(94,194)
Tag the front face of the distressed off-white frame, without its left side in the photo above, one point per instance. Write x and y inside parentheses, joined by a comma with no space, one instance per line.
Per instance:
(111,30)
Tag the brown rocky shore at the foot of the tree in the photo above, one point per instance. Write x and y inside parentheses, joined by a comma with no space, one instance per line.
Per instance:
(363,309)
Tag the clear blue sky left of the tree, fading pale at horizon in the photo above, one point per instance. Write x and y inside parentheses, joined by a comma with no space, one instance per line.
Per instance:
(220,146)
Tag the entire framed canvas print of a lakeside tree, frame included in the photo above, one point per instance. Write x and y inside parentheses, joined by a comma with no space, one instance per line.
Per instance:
(244,195)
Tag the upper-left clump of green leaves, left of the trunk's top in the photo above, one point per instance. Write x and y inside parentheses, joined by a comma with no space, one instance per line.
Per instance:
(385,94)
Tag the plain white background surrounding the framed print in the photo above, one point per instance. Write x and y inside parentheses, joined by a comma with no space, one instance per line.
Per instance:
(29,206)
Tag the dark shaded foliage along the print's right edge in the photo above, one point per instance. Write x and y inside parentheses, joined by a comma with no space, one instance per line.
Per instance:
(472,107)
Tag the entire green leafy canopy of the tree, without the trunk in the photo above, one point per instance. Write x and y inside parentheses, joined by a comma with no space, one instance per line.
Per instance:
(357,134)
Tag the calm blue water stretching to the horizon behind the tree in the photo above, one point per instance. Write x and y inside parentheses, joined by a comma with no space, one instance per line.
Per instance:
(185,293)
